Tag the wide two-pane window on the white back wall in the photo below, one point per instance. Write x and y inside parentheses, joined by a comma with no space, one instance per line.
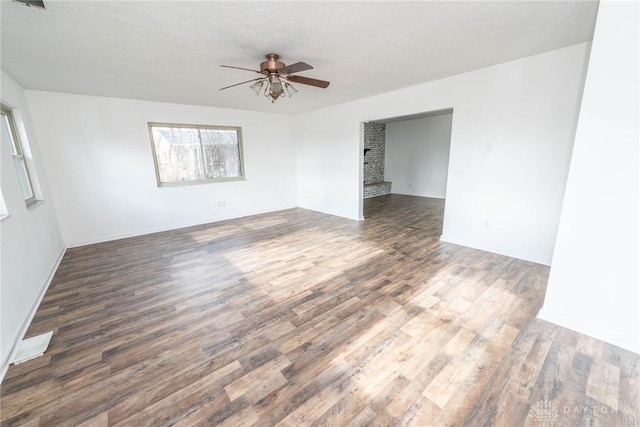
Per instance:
(188,154)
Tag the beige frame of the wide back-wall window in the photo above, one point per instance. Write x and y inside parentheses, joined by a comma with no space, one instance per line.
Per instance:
(161,183)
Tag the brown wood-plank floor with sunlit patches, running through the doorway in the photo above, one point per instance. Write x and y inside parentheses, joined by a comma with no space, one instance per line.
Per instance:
(299,318)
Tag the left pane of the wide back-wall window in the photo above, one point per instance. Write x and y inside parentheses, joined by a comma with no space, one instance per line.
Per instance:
(178,154)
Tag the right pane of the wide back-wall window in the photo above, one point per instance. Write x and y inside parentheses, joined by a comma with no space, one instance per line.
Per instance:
(221,153)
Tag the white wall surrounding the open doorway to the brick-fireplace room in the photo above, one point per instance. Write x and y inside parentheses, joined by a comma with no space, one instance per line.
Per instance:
(512,133)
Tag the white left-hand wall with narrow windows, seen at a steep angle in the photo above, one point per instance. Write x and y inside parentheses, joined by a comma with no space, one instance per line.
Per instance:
(31,244)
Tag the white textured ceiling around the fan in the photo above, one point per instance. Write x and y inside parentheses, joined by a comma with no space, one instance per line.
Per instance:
(170,51)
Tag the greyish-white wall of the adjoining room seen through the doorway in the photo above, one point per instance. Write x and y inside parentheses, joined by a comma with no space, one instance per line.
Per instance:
(417,156)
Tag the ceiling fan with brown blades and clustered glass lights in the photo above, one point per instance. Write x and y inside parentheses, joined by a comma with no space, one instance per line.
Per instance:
(276,78)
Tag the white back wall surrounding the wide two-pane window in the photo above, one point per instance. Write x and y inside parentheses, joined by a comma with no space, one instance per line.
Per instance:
(98,156)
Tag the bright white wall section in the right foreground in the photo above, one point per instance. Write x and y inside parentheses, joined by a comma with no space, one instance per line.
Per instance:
(594,285)
